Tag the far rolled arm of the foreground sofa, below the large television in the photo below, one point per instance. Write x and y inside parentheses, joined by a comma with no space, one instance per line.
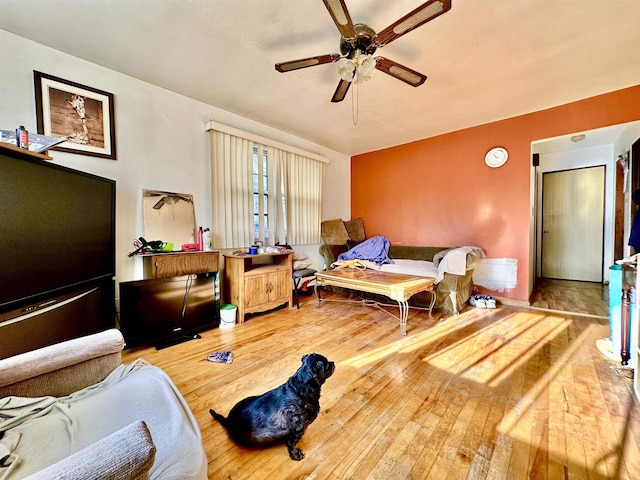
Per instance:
(62,368)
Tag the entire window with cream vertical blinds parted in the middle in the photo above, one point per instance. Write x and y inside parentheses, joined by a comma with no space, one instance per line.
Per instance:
(284,207)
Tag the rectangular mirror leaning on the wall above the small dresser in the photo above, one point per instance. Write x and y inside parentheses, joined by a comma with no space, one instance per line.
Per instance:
(169,217)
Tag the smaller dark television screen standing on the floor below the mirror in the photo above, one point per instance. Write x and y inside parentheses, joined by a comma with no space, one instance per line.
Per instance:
(162,310)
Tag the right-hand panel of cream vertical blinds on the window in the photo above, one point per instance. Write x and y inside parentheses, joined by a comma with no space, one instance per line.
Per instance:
(303,179)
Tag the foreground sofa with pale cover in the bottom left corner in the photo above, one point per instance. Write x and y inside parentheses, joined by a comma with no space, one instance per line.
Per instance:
(73,411)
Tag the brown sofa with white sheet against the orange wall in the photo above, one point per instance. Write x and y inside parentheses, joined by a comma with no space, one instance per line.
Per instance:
(452,290)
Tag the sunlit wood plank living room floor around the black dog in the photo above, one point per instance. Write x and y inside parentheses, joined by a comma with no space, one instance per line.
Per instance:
(488,394)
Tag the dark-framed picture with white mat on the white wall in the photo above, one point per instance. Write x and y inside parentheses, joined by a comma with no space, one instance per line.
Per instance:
(81,114)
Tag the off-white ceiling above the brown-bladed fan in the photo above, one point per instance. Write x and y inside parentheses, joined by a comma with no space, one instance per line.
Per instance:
(485,60)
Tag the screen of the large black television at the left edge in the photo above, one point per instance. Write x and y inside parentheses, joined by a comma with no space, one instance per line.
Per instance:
(57,230)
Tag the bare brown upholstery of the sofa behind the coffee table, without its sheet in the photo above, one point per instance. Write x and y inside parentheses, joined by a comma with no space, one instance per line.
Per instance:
(452,291)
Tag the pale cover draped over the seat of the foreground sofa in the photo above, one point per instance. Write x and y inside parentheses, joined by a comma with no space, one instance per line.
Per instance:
(40,431)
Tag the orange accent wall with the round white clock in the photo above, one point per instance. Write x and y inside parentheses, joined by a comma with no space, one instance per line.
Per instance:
(439,192)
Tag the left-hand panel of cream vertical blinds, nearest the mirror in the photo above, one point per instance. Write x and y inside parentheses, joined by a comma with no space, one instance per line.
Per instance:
(232,195)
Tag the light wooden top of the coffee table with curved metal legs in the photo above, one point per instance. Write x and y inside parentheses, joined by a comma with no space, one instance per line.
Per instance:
(397,286)
